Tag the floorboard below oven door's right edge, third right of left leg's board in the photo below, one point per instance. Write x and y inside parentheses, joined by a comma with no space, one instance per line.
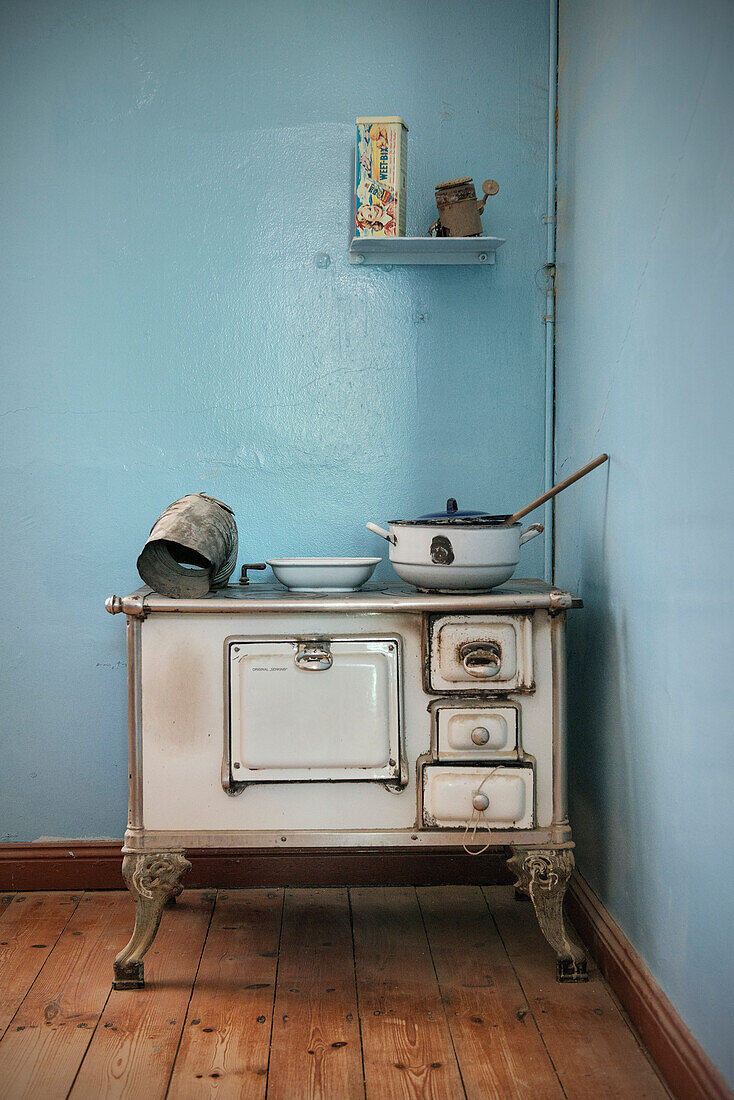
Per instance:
(407,1041)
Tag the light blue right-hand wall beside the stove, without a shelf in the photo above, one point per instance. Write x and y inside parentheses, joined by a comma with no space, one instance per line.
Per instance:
(645,371)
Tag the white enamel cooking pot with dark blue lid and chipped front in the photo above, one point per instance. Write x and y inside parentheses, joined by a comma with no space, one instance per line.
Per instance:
(456,552)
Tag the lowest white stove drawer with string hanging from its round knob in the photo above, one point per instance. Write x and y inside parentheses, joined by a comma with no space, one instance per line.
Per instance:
(452,797)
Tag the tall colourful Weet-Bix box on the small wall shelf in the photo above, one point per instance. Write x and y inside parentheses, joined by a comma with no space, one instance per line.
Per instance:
(381,178)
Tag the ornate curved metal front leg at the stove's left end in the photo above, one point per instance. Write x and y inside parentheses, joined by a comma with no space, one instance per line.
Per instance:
(154,878)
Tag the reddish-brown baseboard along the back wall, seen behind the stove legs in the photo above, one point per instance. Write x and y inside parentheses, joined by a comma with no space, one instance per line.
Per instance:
(97,866)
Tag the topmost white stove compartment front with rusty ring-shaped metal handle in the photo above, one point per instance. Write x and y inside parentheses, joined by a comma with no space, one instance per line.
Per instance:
(476,653)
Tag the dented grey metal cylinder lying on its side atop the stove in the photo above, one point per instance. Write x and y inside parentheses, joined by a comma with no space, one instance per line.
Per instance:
(192,548)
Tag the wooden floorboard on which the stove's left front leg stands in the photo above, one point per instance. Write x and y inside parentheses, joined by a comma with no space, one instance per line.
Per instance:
(136,1042)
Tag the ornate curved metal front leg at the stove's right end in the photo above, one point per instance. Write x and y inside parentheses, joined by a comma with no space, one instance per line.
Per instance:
(543,874)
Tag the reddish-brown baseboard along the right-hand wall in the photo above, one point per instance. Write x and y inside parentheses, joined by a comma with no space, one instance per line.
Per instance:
(685,1065)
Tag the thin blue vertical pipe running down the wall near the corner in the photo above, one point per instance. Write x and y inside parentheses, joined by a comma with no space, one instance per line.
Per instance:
(550,318)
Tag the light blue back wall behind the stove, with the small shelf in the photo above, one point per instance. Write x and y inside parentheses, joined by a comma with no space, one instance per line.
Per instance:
(170,172)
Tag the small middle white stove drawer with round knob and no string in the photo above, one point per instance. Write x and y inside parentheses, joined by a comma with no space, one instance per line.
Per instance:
(478,732)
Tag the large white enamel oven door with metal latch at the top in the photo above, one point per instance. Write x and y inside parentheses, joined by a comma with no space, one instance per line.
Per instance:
(314,710)
